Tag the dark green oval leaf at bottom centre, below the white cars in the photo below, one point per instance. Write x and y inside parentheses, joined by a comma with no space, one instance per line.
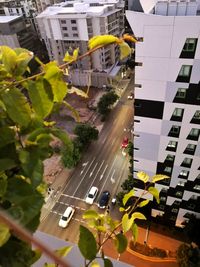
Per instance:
(87,244)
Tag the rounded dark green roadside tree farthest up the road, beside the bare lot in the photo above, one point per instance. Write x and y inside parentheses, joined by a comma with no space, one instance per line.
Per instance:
(105,103)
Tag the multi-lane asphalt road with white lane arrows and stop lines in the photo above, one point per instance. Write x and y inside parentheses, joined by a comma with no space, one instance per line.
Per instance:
(103,166)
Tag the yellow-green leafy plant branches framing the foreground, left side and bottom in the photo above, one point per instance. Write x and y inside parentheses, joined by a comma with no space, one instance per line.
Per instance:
(25,142)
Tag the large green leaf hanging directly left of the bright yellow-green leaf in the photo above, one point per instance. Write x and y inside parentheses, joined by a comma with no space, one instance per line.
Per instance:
(41,97)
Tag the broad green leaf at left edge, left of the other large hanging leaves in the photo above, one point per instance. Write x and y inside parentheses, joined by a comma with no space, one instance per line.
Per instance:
(17,106)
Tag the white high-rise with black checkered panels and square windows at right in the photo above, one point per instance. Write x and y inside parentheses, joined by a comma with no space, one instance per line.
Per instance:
(167,104)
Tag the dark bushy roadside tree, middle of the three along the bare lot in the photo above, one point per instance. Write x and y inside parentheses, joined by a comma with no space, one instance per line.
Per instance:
(86,133)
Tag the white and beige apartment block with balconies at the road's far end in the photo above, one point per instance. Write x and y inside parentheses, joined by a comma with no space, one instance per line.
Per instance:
(71,24)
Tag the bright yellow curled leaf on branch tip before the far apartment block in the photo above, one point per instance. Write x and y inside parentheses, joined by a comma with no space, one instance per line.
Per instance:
(103,40)
